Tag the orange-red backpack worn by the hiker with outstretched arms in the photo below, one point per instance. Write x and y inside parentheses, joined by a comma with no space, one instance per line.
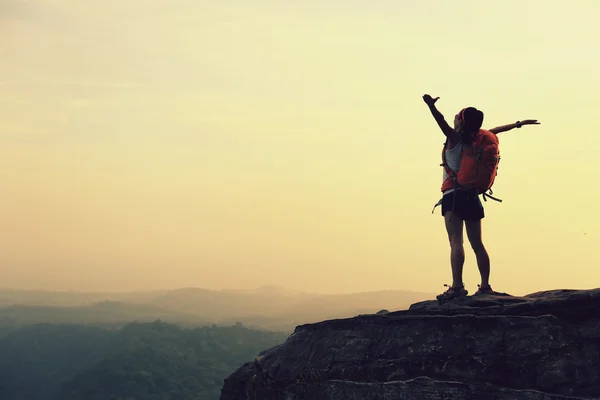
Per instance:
(478,165)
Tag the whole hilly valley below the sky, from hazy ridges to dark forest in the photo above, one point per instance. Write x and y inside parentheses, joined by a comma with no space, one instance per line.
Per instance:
(72,345)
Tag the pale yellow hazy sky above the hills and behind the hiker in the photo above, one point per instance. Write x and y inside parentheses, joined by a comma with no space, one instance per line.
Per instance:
(233,144)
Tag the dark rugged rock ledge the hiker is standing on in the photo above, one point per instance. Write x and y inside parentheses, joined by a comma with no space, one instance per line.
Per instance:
(545,345)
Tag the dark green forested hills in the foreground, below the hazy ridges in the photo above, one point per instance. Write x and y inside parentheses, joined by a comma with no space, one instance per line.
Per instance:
(140,361)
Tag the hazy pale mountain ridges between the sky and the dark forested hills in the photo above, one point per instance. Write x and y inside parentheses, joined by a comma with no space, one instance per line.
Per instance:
(267,307)
